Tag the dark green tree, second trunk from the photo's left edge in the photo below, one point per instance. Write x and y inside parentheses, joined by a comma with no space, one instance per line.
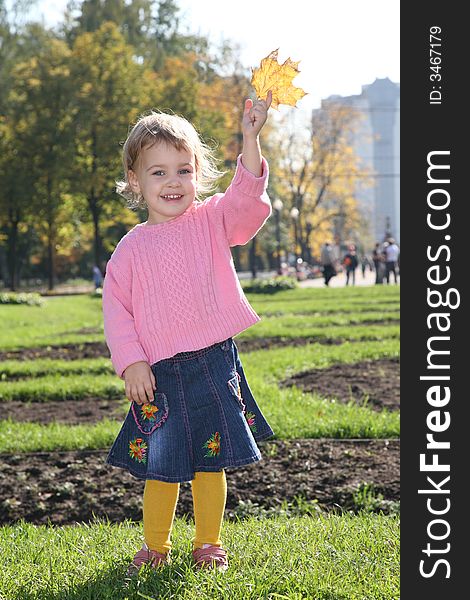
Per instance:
(42,111)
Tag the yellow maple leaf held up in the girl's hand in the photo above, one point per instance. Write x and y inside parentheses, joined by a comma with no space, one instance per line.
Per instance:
(270,75)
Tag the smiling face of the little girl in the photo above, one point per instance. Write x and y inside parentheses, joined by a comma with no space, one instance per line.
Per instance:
(166,178)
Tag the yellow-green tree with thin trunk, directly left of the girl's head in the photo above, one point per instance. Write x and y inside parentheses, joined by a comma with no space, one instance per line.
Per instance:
(110,89)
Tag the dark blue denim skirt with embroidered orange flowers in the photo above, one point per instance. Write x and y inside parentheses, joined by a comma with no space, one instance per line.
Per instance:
(203,418)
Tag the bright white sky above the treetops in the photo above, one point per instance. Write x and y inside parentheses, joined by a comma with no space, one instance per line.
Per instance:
(341,44)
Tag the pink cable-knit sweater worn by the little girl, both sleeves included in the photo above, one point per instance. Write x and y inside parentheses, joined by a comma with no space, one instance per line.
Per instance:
(172,287)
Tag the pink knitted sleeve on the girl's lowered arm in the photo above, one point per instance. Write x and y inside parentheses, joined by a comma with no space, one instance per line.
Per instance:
(119,327)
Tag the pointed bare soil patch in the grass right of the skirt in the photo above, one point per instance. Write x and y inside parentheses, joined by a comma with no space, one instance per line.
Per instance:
(376,380)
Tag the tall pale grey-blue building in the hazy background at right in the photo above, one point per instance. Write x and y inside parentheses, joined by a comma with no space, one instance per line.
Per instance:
(376,141)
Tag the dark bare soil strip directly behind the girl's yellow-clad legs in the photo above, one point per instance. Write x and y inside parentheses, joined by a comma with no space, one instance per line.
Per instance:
(67,487)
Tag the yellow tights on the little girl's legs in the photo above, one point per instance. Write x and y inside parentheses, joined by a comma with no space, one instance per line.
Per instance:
(160,498)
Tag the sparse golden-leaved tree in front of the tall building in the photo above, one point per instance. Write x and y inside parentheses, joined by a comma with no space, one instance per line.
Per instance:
(318,172)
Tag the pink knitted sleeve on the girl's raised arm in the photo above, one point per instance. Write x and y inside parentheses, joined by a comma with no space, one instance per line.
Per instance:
(245,206)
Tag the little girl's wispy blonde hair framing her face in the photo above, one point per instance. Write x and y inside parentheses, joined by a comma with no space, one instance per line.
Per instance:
(157,127)
